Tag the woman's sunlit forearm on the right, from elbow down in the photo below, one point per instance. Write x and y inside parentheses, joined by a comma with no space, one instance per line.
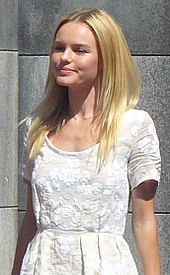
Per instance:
(145,234)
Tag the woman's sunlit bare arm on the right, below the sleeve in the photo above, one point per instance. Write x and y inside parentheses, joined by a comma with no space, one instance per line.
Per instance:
(144,227)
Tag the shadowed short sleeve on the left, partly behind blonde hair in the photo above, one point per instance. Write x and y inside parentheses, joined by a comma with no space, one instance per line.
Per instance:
(25,165)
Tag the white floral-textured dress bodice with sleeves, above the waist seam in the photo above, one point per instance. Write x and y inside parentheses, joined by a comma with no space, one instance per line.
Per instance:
(70,194)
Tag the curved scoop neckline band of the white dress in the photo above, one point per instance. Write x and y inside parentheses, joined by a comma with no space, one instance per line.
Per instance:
(93,149)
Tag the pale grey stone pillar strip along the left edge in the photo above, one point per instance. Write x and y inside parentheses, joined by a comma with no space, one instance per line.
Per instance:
(8,132)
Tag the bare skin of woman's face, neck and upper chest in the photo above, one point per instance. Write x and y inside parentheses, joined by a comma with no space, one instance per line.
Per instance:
(75,64)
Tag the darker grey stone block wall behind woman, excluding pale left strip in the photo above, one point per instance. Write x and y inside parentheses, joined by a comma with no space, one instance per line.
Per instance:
(146,26)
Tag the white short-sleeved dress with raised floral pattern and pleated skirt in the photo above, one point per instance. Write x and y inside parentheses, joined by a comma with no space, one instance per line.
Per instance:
(80,212)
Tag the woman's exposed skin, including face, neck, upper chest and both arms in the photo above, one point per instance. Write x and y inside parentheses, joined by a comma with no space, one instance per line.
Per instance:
(76,64)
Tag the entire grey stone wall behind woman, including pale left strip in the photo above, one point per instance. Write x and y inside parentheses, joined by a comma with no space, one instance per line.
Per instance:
(146,26)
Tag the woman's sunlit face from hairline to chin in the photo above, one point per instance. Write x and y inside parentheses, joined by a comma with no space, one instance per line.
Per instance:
(75,55)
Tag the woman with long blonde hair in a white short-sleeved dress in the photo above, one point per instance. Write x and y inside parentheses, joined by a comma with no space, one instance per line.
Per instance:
(88,150)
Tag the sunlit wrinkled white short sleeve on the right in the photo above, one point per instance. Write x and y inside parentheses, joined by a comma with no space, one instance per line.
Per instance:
(144,162)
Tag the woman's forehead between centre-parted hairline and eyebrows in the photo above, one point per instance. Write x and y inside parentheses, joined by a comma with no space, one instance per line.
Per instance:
(77,32)
